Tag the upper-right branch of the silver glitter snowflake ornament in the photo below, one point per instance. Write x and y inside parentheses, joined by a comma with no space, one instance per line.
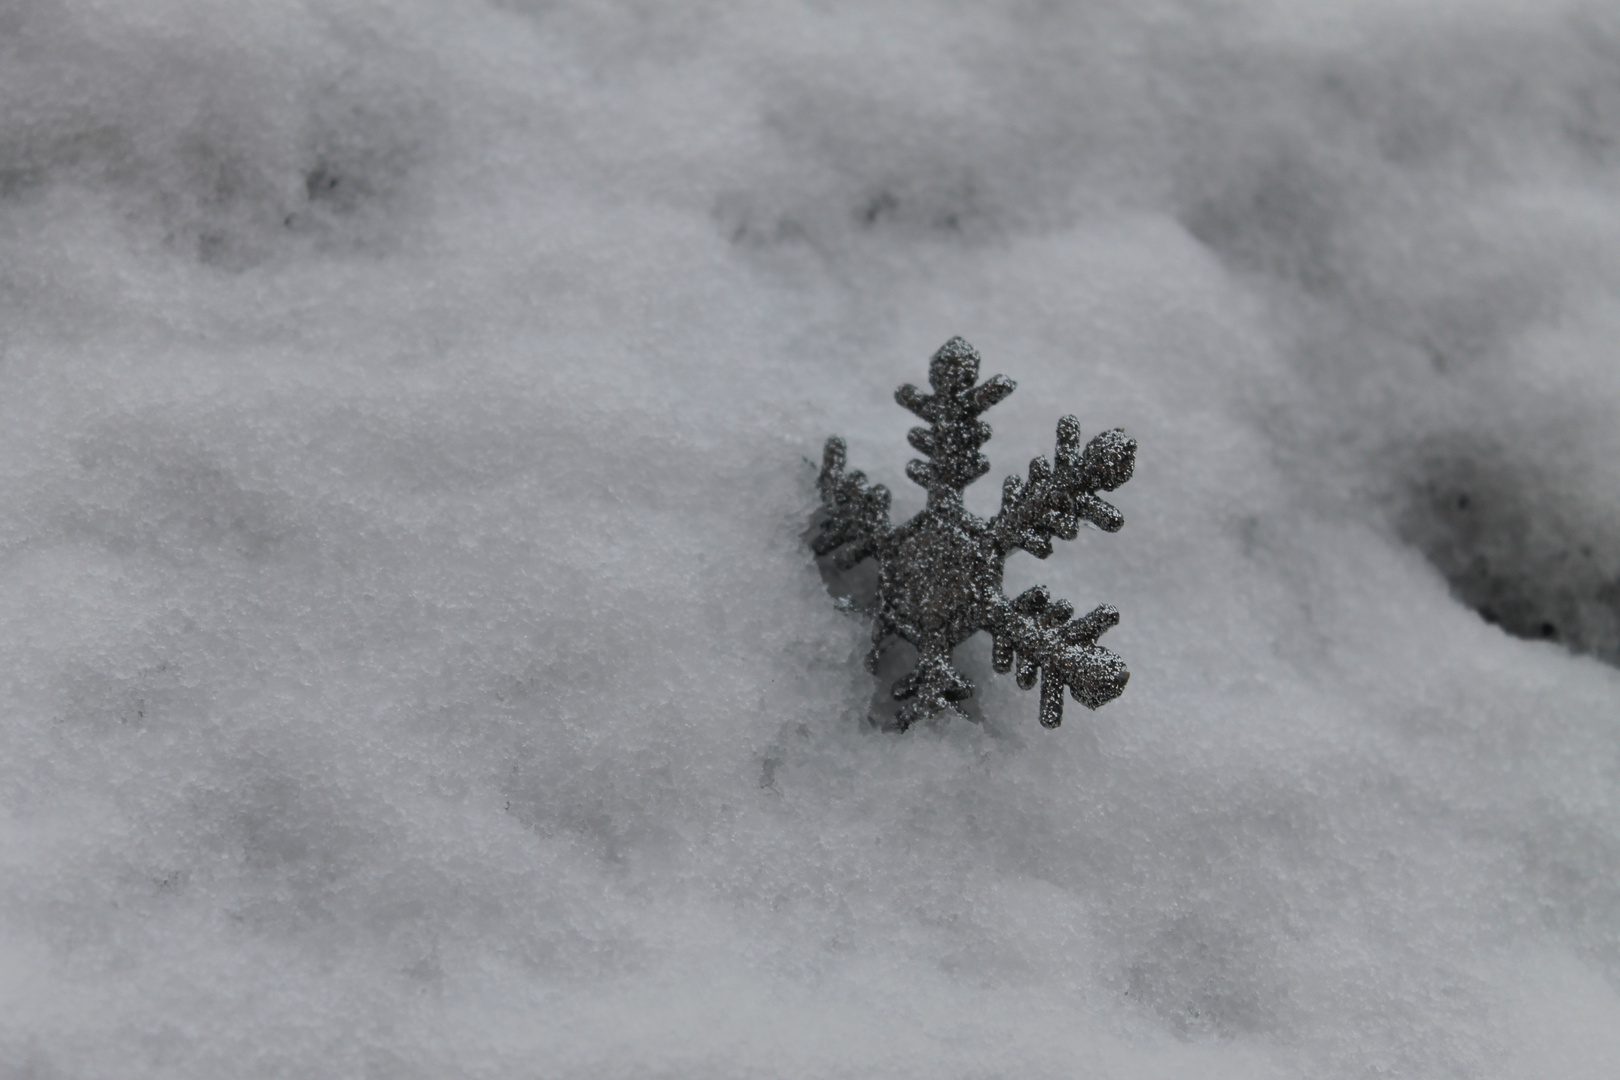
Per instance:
(1055,501)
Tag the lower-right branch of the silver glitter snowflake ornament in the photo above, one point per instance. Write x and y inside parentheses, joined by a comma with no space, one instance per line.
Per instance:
(1034,634)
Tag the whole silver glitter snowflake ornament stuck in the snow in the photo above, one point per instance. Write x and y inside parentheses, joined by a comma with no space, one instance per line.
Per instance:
(940,574)
